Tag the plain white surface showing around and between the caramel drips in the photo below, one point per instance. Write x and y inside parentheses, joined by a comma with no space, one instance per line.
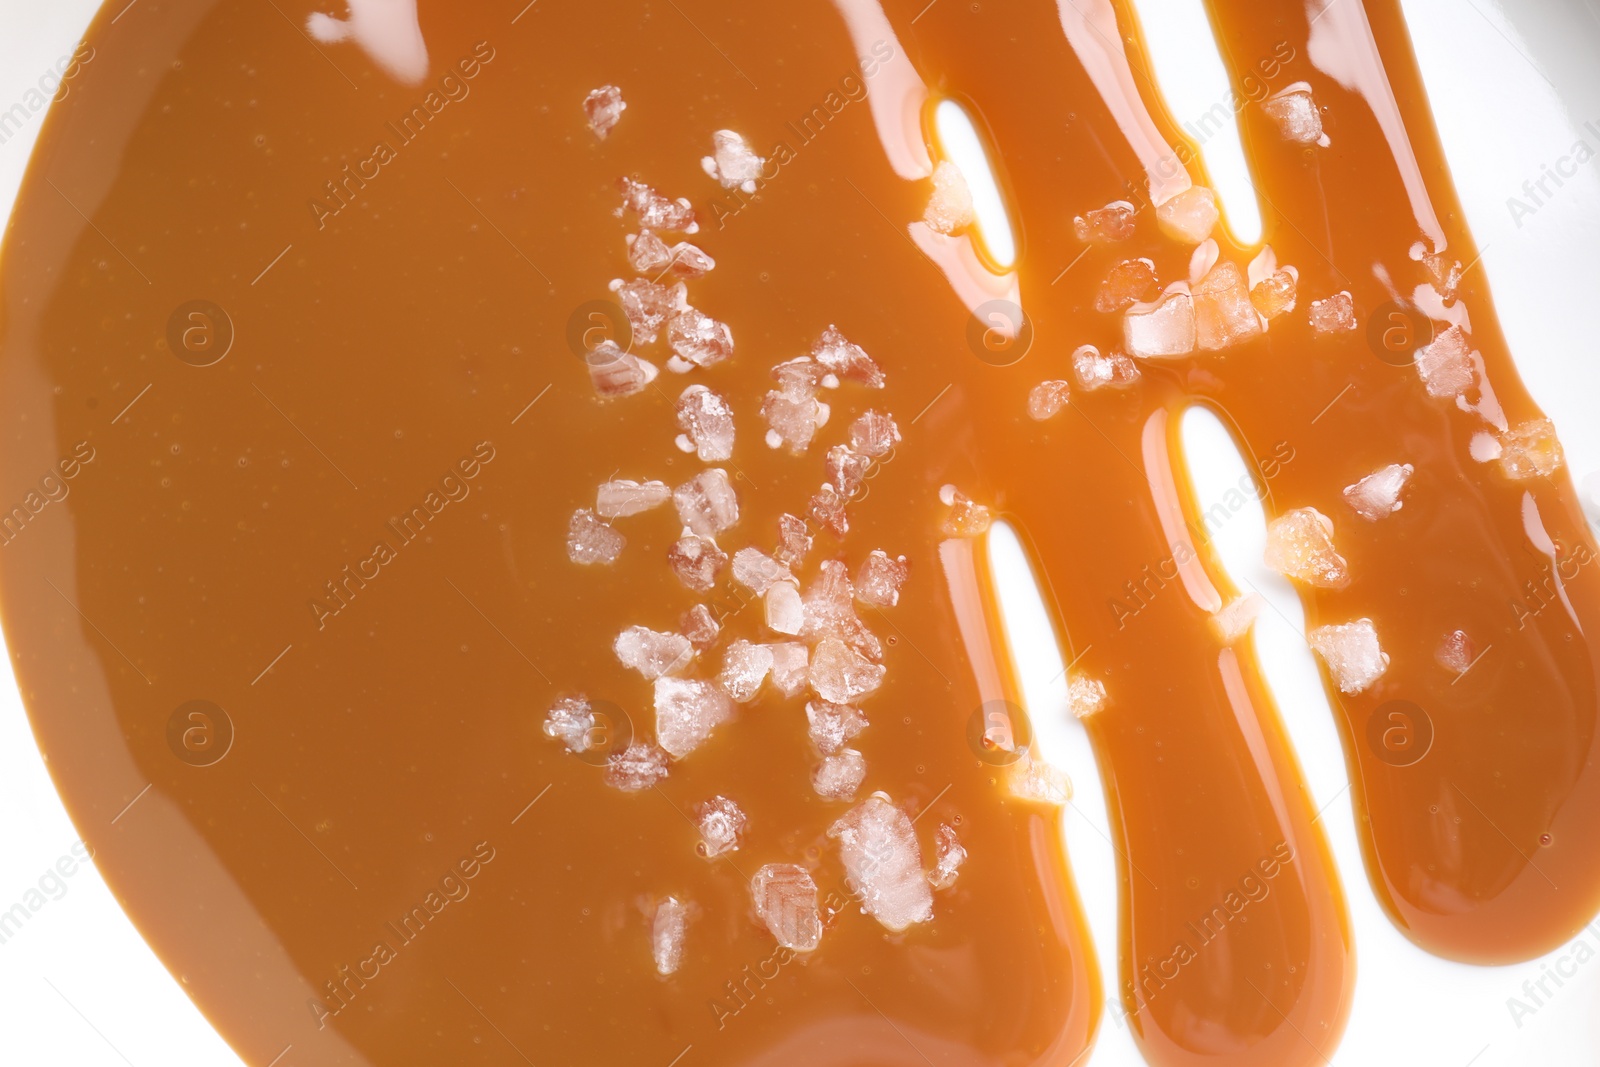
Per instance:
(81,988)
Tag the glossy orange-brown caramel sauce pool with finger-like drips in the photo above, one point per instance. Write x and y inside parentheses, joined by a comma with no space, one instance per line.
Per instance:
(372,852)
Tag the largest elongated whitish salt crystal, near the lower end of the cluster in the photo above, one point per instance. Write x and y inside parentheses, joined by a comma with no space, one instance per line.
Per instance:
(882,860)
